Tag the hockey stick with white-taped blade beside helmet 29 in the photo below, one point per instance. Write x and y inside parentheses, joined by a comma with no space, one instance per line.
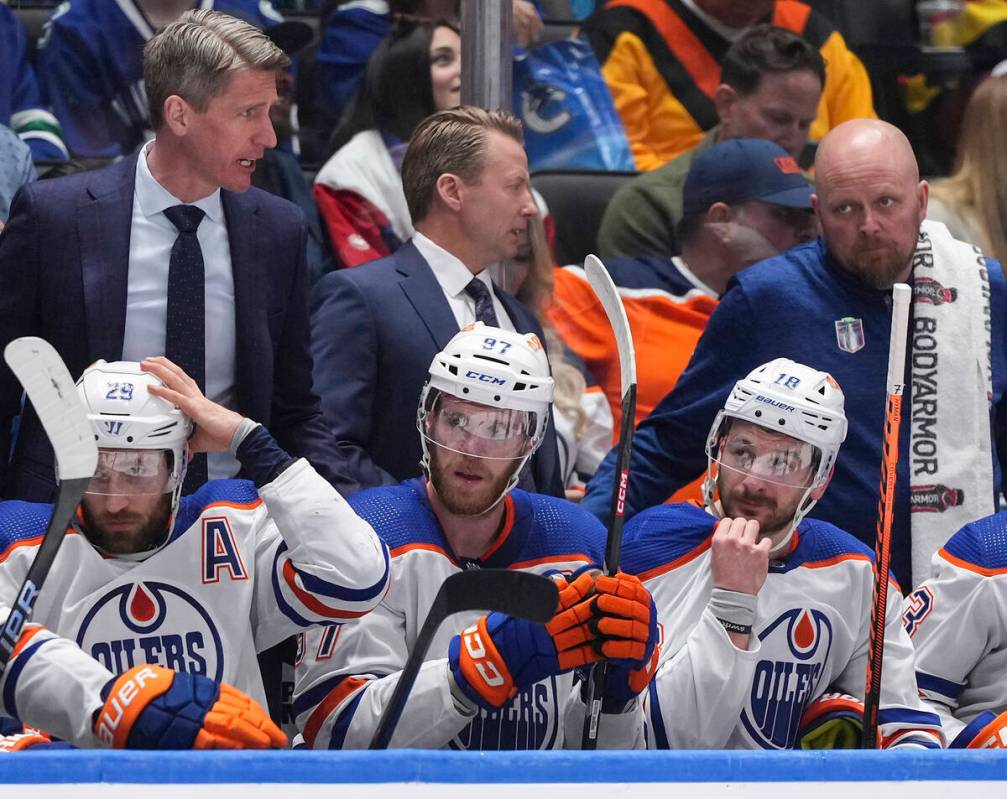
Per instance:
(53,394)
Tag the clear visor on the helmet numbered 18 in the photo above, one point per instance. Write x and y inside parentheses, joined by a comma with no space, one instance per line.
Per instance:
(754,452)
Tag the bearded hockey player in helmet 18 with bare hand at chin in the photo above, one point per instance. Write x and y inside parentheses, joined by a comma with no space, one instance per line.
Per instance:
(766,613)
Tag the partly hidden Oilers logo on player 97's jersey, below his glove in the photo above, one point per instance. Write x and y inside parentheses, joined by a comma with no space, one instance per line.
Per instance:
(529,721)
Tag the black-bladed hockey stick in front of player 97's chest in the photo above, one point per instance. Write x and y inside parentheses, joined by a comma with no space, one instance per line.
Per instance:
(518,594)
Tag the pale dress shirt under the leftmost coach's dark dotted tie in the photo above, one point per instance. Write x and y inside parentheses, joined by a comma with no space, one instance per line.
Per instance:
(152,238)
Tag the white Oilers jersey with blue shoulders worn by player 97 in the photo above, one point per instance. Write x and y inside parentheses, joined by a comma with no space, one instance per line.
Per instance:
(345,677)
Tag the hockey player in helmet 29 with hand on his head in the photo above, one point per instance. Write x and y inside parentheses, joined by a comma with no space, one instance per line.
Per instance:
(158,605)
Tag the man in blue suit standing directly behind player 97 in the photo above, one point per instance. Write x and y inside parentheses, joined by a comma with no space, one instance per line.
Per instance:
(376,328)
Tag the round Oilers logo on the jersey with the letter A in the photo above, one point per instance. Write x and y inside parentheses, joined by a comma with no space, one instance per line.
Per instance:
(153,622)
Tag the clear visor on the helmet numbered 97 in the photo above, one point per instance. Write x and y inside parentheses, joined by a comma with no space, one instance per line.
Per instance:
(479,431)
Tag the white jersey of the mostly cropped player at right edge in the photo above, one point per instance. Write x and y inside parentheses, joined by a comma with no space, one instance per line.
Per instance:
(958,622)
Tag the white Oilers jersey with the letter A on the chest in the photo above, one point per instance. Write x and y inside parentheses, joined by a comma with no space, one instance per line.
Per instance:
(242,572)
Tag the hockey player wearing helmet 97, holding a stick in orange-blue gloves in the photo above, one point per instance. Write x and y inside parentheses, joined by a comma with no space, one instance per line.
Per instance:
(482,416)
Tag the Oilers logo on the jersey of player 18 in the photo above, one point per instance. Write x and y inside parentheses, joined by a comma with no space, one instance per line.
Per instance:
(782,689)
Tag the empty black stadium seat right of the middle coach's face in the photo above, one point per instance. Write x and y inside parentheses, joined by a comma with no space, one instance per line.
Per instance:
(577,200)
